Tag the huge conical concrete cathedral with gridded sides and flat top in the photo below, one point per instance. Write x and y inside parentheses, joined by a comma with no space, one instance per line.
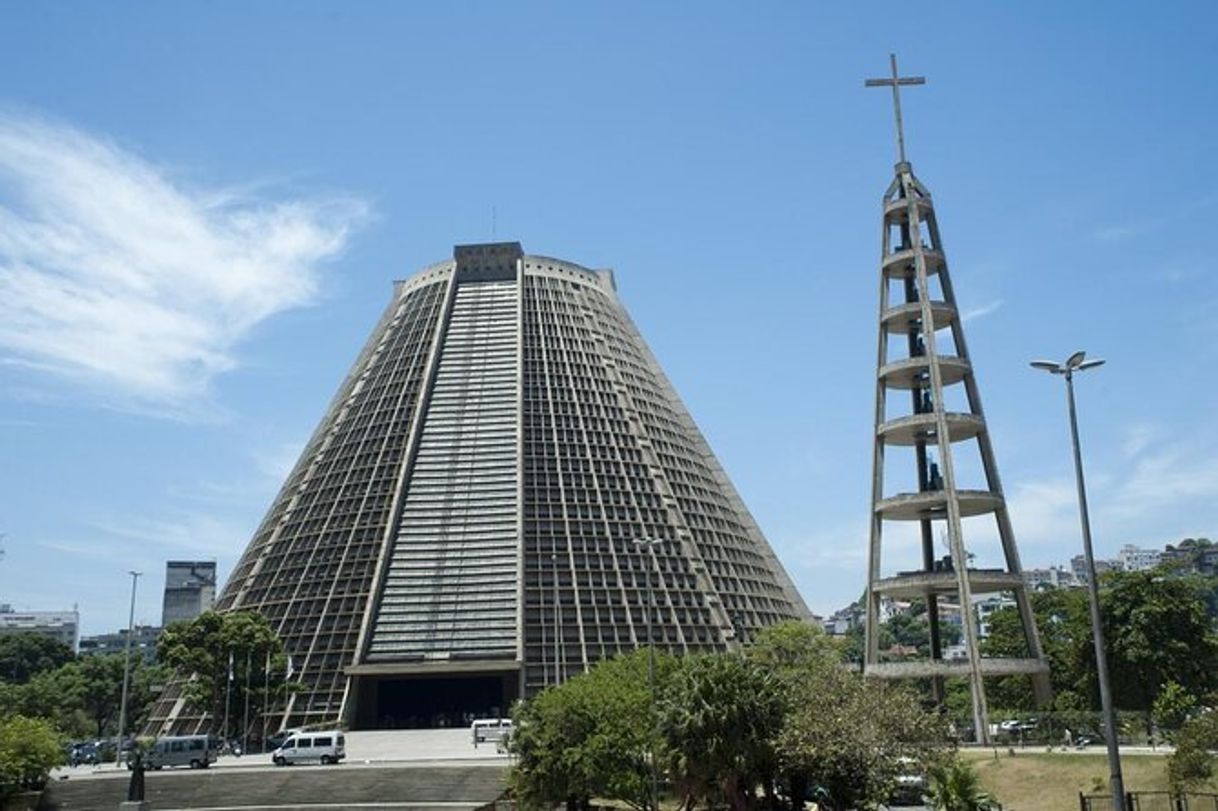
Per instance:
(502,485)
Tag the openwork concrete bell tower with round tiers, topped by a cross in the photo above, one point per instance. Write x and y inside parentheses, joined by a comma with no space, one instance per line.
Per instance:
(929,417)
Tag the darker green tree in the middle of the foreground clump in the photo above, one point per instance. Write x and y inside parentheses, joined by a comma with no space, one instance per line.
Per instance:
(719,714)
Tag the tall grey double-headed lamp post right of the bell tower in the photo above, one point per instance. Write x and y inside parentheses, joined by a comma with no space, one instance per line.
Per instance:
(1079,362)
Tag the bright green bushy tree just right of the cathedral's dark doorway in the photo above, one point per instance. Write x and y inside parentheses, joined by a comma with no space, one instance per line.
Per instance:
(589,737)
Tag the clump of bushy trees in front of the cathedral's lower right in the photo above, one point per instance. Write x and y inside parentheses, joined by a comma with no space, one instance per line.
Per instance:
(784,714)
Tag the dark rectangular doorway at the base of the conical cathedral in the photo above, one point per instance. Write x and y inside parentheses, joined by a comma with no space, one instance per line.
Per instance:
(434,702)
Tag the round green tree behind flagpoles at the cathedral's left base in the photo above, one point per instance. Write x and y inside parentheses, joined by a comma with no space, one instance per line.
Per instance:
(225,653)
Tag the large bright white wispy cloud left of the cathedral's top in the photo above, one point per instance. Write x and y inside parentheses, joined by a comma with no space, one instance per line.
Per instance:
(116,277)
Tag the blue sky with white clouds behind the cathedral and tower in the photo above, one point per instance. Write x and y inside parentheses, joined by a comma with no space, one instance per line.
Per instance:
(203,209)
